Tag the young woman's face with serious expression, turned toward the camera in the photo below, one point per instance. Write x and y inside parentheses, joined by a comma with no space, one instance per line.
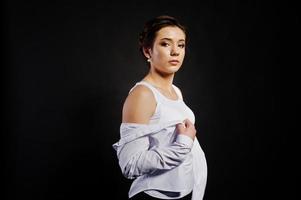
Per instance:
(168,50)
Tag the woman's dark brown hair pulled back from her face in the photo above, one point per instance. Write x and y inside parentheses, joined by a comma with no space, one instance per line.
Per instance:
(151,27)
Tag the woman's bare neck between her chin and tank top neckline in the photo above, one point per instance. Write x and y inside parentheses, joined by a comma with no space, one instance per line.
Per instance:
(163,81)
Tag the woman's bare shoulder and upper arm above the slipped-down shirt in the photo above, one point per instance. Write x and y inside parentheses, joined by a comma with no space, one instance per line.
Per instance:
(139,105)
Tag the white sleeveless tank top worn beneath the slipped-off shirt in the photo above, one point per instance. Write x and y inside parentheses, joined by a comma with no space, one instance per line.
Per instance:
(168,110)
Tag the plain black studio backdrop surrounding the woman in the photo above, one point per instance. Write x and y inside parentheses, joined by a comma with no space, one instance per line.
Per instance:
(68,67)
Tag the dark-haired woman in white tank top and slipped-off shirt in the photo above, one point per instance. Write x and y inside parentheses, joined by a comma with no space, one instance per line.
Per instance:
(158,146)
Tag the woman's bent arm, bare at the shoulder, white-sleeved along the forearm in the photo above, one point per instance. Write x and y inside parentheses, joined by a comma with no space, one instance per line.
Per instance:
(136,158)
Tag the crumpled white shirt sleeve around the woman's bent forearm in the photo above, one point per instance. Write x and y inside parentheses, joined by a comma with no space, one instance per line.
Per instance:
(136,159)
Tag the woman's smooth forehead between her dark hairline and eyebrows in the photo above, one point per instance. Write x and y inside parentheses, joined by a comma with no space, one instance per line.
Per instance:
(172,32)
